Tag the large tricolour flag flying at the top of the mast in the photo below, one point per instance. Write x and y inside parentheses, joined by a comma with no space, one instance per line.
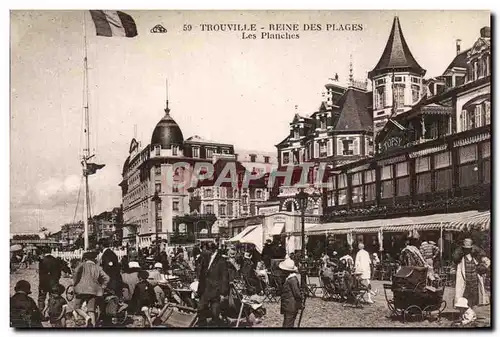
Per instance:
(113,23)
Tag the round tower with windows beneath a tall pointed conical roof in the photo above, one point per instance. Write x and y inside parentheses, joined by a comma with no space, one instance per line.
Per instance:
(396,79)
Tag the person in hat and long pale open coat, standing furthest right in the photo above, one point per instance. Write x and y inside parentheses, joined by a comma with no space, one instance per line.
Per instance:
(471,268)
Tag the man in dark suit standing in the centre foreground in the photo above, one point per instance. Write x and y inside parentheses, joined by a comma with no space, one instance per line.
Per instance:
(213,285)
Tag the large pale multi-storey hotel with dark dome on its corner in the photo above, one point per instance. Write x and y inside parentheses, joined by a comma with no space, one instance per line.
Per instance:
(180,212)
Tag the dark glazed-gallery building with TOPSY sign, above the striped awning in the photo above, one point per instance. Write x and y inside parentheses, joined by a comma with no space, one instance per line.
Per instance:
(434,157)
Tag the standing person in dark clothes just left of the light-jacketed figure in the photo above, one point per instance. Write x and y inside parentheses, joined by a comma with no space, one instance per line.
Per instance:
(49,269)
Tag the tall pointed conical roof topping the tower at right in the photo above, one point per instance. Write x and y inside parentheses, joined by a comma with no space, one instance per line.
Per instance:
(397,54)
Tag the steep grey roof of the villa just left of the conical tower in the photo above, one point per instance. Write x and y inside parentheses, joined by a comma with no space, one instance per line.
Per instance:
(354,115)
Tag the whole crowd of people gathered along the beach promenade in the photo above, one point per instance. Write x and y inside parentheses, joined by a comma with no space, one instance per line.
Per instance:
(140,281)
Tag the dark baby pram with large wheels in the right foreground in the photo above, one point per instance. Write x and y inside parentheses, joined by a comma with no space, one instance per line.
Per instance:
(414,296)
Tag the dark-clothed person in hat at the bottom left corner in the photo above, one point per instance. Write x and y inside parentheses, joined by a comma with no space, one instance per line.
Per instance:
(23,310)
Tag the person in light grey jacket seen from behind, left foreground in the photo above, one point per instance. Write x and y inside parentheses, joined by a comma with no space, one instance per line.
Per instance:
(89,282)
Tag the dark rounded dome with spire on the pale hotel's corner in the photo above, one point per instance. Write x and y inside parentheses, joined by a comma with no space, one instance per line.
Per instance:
(167,138)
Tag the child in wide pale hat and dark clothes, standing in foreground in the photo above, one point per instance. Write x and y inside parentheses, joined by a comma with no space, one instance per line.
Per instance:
(291,296)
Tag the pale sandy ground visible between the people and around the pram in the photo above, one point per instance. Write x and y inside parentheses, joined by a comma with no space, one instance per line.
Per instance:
(318,313)
